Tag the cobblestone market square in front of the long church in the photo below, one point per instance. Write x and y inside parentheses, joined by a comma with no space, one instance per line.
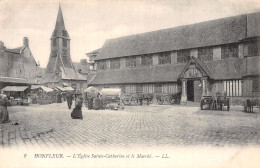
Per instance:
(149,126)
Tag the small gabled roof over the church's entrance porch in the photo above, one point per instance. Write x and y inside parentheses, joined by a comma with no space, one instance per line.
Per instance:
(200,65)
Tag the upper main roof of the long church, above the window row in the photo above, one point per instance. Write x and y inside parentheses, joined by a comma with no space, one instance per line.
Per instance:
(209,33)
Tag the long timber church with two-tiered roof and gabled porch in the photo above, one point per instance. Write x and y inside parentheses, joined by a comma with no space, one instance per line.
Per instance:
(217,56)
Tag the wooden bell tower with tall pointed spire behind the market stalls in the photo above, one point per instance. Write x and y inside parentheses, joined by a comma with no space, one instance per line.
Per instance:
(60,70)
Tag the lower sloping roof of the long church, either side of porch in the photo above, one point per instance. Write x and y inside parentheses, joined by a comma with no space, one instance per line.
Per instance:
(218,70)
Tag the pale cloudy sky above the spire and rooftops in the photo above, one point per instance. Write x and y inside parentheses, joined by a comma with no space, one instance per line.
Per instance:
(90,22)
